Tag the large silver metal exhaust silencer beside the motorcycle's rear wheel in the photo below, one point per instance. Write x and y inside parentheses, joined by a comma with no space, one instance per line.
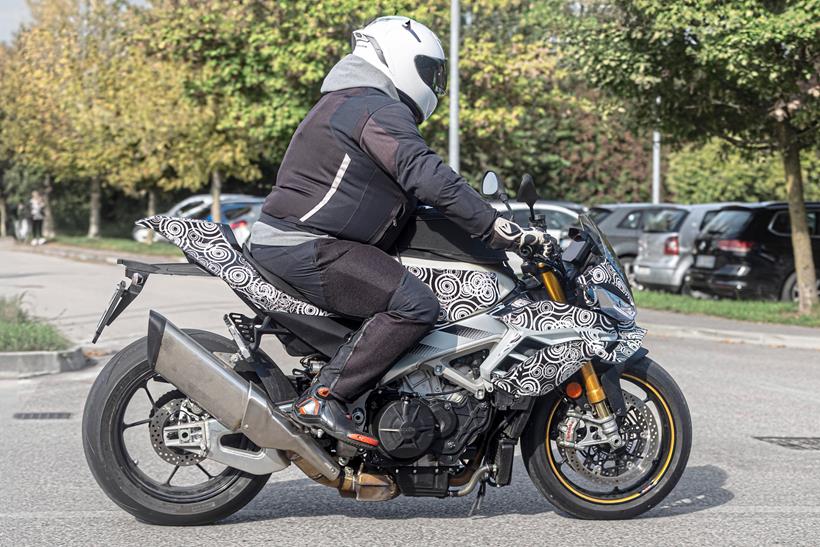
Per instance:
(235,402)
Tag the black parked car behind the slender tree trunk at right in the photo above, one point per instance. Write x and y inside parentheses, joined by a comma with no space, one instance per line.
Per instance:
(746,252)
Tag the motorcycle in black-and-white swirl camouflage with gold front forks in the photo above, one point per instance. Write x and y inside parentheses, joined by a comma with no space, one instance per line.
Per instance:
(551,360)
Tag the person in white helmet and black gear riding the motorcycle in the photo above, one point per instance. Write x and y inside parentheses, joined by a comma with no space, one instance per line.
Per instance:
(350,179)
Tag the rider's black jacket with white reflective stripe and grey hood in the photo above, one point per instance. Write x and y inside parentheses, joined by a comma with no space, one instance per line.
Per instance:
(357,166)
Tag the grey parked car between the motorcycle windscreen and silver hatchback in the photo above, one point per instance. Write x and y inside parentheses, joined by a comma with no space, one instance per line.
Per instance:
(622,223)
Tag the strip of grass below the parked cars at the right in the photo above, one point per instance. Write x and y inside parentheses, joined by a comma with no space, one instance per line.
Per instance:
(784,313)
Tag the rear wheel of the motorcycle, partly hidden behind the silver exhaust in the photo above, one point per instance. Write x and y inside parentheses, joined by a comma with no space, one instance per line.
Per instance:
(127,408)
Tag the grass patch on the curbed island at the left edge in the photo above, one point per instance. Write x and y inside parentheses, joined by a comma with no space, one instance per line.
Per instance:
(19,331)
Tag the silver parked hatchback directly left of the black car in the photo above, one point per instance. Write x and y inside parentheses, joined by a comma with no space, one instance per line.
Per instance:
(666,244)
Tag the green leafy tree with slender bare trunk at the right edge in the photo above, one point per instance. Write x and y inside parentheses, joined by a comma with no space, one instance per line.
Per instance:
(743,71)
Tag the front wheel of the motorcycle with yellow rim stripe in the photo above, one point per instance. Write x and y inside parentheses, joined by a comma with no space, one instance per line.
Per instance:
(601,482)
